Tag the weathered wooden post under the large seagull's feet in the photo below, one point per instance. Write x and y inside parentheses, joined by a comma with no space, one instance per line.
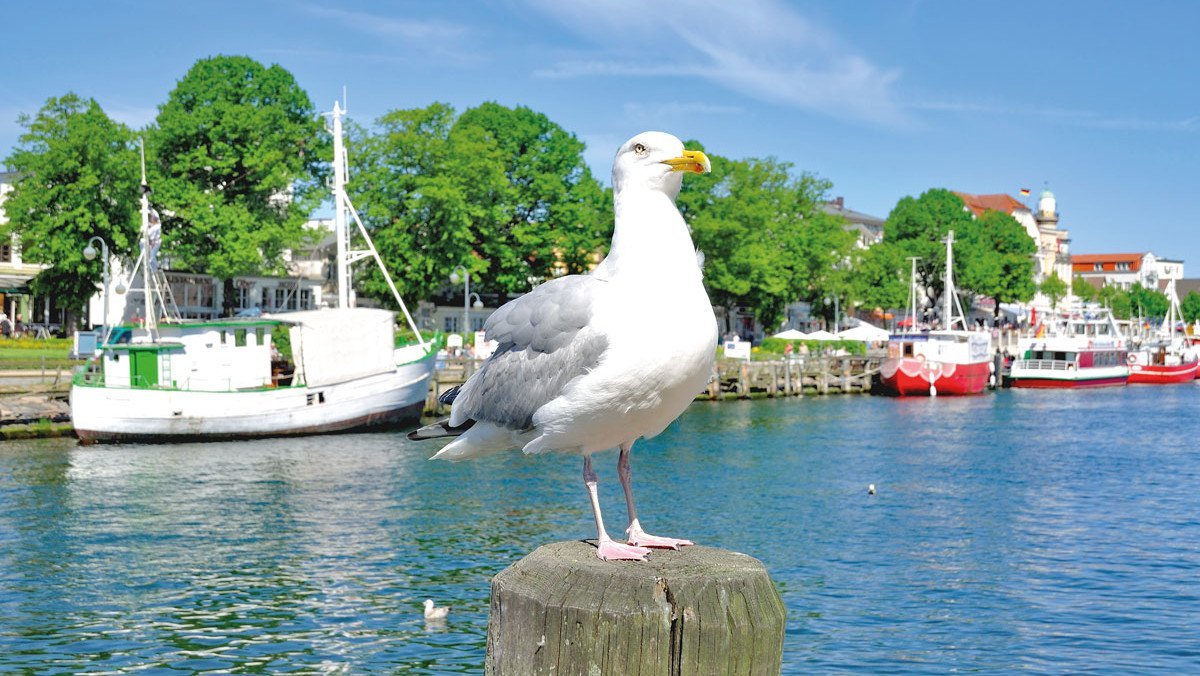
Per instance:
(701,611)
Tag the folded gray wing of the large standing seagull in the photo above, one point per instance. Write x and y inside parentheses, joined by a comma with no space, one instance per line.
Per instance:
(545,342)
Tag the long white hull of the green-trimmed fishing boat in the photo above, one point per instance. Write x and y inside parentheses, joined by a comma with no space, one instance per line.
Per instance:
(107,415)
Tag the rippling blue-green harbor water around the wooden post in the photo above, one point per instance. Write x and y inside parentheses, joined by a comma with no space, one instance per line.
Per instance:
(1051,531)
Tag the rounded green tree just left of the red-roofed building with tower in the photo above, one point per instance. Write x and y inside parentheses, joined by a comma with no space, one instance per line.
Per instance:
(997,260)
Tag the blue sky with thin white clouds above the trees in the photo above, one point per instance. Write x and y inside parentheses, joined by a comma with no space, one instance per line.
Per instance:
(1099,103)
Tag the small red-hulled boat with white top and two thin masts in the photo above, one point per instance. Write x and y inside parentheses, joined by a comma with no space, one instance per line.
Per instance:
(951,362)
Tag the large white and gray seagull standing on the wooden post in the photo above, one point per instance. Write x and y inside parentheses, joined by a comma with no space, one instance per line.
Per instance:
(589,363)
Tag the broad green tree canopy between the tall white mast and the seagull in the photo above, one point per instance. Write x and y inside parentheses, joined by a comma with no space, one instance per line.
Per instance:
(505,193)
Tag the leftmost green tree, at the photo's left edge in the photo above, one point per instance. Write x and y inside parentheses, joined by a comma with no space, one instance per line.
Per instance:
(79,178)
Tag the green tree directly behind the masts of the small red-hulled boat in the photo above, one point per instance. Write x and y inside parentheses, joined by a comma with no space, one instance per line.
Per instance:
(919,228)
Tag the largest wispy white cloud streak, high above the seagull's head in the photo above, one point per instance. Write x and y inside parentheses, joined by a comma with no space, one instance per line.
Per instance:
(760,49)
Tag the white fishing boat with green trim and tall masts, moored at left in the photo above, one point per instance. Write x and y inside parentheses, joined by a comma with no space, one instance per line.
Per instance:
(279,375)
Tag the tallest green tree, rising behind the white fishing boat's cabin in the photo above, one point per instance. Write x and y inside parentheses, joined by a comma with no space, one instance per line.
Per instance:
(238,155)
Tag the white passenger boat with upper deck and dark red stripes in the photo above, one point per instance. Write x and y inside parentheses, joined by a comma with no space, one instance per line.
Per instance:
(1079,352)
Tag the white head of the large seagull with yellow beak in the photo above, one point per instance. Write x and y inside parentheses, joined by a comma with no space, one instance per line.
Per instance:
(657,161)
